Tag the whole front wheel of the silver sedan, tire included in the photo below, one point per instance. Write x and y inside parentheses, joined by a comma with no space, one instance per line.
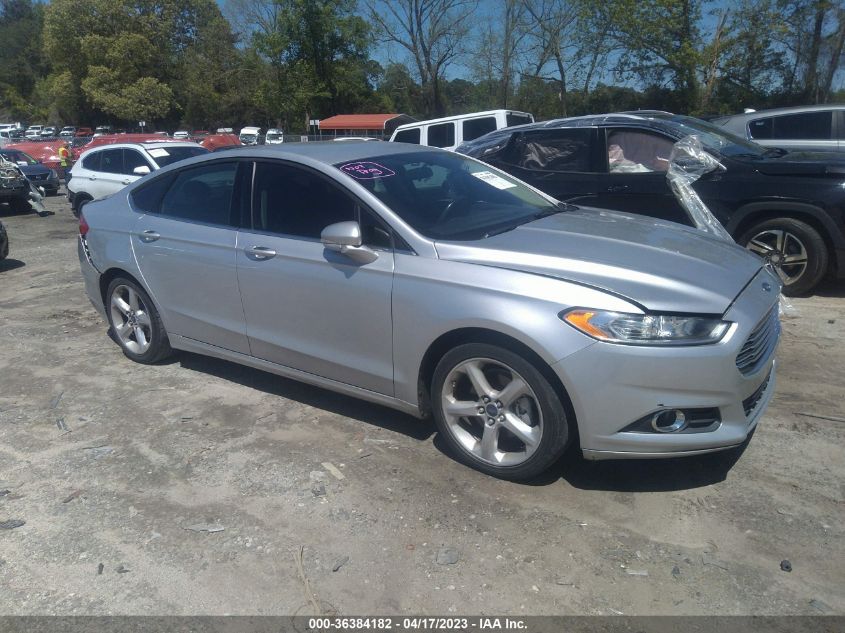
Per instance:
(497,412)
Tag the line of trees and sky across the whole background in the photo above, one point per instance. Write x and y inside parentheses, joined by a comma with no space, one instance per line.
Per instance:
(191,63)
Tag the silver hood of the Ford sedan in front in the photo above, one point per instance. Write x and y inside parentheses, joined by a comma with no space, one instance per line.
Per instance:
(662,266)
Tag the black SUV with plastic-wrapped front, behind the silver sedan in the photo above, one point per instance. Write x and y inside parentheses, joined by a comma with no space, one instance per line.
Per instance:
(788,207)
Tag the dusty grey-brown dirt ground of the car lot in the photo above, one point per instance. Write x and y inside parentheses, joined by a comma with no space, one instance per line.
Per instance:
(190,487)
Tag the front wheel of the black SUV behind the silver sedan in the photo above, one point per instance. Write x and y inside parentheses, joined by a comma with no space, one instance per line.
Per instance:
(794,249)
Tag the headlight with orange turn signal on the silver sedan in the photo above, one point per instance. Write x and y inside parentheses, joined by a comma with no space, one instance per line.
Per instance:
(646,329)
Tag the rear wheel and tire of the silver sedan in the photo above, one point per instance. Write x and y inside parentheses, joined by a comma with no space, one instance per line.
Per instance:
(135,322)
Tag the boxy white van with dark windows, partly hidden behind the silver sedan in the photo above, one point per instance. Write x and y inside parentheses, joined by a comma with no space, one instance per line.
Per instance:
(451,131)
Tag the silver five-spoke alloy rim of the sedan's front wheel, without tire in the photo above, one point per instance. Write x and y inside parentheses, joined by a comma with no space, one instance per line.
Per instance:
(492,412)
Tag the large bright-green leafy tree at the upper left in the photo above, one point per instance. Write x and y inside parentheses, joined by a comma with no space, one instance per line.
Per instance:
(127,55)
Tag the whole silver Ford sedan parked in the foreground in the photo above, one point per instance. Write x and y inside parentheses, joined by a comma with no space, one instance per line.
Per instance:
(432,283)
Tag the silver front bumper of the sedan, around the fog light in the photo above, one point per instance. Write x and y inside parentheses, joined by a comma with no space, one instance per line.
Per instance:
(612,386)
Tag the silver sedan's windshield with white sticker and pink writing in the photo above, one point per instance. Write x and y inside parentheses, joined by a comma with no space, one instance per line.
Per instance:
(448,196)
